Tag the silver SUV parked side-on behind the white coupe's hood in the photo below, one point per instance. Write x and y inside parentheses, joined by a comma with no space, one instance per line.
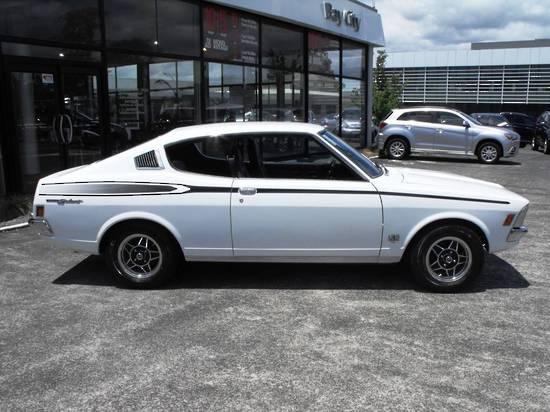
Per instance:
(438,130)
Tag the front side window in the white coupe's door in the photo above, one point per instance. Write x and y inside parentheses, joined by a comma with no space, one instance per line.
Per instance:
(291,156)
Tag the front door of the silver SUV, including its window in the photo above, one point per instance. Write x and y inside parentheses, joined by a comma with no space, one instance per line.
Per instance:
(450,134)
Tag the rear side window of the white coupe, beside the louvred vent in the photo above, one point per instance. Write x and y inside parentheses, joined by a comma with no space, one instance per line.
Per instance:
(205,156)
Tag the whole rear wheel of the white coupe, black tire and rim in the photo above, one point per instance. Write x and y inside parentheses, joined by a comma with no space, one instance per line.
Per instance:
(142,255)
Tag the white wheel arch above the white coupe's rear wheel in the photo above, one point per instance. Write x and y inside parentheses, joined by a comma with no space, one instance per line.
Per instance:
(126,218)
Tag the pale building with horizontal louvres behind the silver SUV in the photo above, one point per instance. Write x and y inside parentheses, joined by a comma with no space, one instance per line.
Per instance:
(489,77)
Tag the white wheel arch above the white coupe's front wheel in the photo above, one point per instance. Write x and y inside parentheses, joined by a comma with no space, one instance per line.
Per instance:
(445,219)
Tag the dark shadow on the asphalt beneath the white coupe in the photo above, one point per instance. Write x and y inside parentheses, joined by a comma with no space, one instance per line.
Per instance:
(498,274)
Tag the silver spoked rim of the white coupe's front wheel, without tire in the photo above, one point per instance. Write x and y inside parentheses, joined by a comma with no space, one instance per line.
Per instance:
(448,259)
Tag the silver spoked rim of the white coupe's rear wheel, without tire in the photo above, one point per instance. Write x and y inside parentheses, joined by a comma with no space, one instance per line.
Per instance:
(139,256)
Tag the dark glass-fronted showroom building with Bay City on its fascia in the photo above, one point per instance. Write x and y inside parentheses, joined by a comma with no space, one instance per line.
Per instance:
(80,80)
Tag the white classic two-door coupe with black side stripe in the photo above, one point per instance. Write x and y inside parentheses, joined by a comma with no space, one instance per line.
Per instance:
(273,192)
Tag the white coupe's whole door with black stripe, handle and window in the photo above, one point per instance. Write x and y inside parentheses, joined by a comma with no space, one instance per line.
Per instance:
(295,200)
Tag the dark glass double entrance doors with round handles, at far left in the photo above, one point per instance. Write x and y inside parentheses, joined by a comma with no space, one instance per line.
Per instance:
(55,119)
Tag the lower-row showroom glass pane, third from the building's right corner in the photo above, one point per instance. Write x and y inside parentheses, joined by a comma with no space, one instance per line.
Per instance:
(282,96)
